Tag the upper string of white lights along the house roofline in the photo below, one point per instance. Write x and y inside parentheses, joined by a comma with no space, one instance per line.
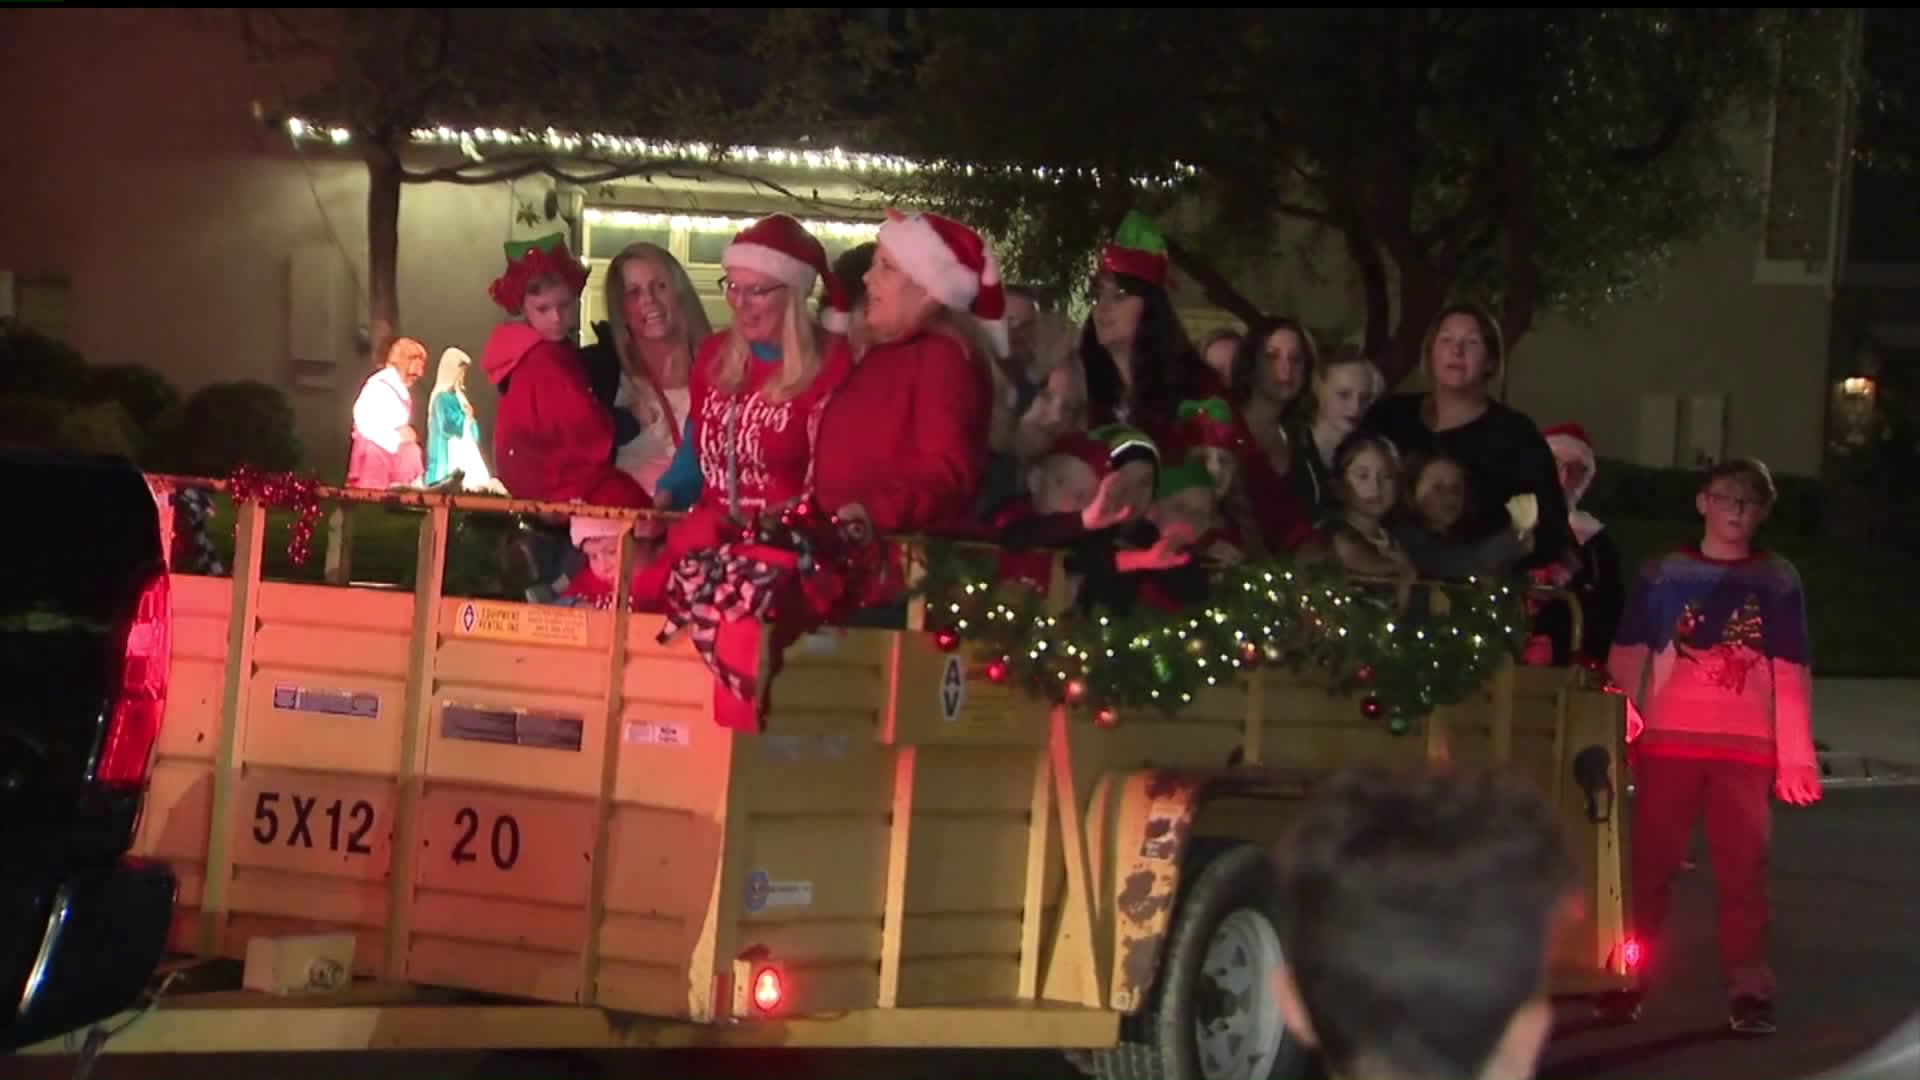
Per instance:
(477,141)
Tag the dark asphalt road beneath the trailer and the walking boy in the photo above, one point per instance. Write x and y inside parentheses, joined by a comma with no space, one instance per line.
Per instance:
(1846,948)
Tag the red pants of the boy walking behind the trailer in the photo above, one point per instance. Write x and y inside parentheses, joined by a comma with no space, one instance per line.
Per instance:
(1671,795)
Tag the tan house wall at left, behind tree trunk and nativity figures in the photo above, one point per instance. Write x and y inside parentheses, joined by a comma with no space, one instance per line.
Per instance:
(183,228)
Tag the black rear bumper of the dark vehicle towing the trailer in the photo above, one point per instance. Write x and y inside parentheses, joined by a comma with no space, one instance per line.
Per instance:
(99,939)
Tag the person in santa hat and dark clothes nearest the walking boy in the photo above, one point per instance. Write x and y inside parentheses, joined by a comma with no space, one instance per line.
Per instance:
(1591,570)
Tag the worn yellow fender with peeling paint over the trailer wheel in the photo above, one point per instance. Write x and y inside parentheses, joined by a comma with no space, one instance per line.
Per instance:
(1153,839)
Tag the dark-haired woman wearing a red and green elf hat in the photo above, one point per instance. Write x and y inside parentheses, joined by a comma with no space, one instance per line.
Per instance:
(1138,356)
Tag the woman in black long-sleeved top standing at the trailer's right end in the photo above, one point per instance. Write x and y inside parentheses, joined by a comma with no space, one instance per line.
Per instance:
(1500,447)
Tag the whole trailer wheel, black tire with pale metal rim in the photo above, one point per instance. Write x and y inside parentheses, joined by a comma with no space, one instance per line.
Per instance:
(1212,1014)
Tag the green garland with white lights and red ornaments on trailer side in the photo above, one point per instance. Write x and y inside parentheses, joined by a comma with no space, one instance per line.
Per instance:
(1259,616)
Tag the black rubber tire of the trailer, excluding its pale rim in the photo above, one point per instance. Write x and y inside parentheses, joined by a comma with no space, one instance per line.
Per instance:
(1161,1043)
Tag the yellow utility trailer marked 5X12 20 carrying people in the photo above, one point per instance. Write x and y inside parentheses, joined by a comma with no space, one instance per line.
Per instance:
(458,823)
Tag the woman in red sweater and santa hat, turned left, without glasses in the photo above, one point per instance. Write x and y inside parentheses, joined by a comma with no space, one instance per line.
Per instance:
(903,443)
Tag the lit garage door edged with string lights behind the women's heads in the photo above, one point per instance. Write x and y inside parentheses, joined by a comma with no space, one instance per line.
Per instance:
(698,241)
